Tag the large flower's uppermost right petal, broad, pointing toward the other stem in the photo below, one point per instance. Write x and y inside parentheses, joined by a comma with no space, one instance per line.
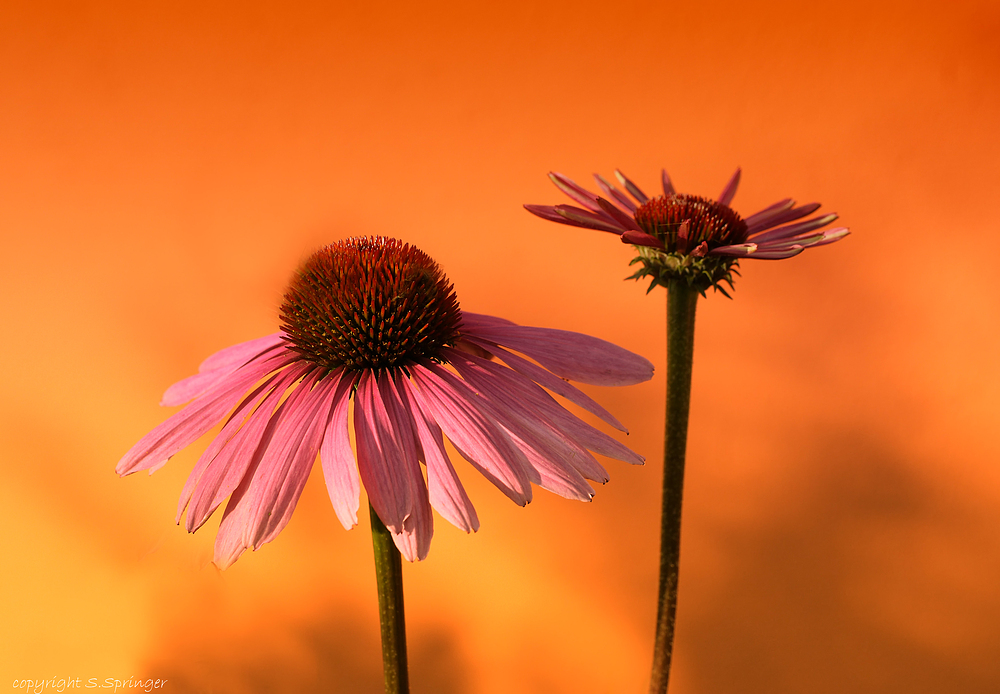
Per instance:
(570,355)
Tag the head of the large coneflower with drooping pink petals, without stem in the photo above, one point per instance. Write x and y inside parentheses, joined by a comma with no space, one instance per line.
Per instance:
(375,321)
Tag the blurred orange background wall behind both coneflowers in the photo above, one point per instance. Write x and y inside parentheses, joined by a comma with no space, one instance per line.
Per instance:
(164,168)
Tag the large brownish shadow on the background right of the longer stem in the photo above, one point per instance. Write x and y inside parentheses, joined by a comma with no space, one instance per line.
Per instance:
(789,618)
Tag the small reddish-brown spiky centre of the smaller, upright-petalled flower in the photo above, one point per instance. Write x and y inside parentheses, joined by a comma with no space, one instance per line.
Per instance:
(708,221)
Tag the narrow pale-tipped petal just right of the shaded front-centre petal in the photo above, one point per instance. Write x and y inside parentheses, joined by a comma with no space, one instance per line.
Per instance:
(446,492)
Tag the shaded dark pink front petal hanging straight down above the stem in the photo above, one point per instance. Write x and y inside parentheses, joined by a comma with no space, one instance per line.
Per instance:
(380,451)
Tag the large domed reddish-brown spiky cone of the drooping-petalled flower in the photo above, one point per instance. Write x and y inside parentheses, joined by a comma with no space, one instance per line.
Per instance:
(370,303)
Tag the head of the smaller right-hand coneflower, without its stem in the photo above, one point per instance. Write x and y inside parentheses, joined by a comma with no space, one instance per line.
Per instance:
(687,237)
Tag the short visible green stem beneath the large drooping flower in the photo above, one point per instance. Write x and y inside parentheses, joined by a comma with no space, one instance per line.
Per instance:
(389,576)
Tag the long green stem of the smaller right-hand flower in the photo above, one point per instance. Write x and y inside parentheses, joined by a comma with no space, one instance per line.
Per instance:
(681,304)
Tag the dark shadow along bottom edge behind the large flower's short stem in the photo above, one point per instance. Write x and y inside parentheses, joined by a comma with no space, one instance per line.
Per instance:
(333,653)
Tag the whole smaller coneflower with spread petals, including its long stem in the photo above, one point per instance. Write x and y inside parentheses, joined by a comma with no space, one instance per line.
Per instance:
(686,244)
